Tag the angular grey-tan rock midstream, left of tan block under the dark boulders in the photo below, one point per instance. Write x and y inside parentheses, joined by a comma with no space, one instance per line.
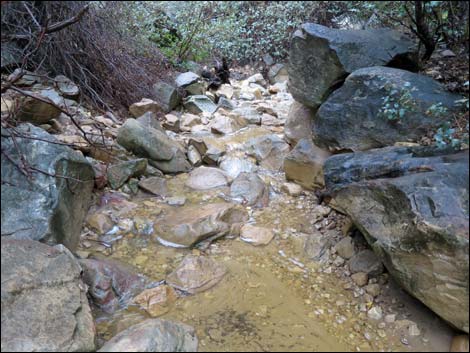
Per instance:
(269,151)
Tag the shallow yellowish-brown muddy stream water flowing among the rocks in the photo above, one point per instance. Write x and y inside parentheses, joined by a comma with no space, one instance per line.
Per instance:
(273,298)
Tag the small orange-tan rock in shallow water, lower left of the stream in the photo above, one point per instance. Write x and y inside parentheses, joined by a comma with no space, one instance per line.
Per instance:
(156,301)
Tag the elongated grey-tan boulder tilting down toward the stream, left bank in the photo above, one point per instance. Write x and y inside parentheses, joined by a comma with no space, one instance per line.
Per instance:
(162,152)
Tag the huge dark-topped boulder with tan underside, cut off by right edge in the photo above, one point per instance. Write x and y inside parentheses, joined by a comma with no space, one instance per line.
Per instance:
(411,203)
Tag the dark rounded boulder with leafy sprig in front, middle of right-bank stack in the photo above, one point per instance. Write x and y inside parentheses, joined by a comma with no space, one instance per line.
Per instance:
(354,116)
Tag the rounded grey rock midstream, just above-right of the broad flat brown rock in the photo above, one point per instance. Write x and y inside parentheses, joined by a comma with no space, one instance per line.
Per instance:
(249,189)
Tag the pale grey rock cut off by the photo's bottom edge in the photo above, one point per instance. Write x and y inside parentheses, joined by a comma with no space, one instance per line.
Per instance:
(154,335)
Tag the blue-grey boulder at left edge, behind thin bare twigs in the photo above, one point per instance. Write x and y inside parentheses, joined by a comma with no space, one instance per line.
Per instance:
(50,204)
